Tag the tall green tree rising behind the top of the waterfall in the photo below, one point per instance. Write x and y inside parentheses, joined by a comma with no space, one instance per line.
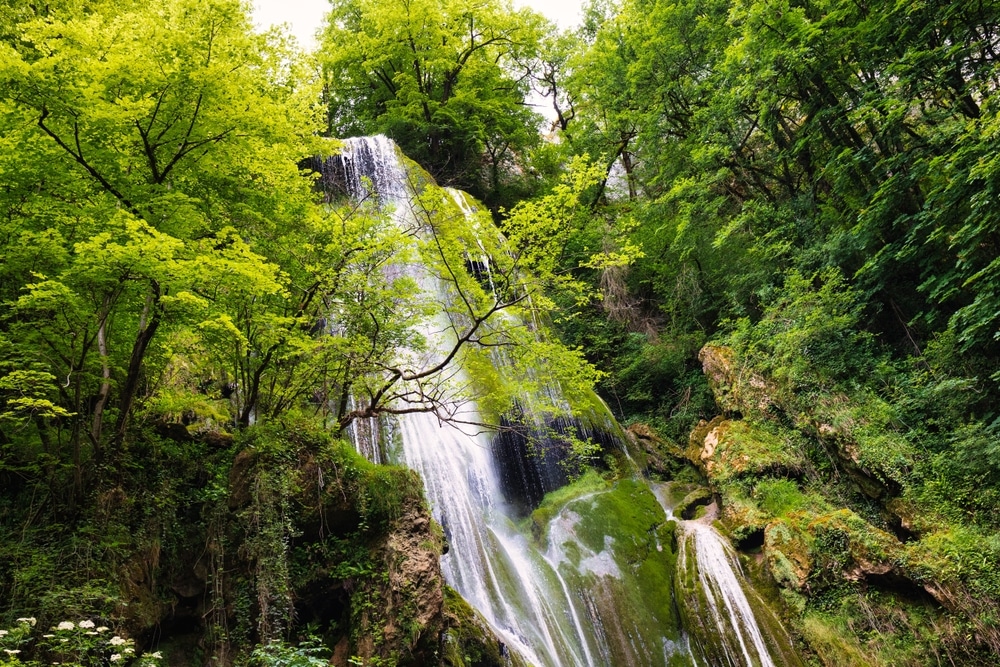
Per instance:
(446,79)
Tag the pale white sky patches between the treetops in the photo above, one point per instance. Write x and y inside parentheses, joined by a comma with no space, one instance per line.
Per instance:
(304,16)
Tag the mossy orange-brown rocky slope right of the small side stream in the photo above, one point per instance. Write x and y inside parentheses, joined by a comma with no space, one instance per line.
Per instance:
(880,563)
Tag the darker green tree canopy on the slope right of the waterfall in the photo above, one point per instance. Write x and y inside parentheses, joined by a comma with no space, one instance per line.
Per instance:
(806,135)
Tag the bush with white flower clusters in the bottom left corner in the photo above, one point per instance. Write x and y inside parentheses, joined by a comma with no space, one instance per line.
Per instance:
(80,644)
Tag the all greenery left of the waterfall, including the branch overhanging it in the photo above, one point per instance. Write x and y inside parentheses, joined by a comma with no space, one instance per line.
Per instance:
(167,362)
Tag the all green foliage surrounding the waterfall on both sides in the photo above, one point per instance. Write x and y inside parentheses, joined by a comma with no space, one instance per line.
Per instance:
(810,182)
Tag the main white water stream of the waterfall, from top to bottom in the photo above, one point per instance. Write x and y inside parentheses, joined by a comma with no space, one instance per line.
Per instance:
(490,564)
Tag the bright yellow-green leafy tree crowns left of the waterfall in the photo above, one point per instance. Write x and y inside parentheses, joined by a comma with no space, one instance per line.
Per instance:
(150,168)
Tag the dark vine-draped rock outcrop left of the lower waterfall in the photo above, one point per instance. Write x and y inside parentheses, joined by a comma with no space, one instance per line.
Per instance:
(365,543)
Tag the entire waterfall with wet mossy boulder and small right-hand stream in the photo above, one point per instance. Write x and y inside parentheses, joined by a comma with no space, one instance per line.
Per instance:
(558,604)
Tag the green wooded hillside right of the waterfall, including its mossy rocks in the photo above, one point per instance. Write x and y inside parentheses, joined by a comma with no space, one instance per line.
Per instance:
(810,183)
